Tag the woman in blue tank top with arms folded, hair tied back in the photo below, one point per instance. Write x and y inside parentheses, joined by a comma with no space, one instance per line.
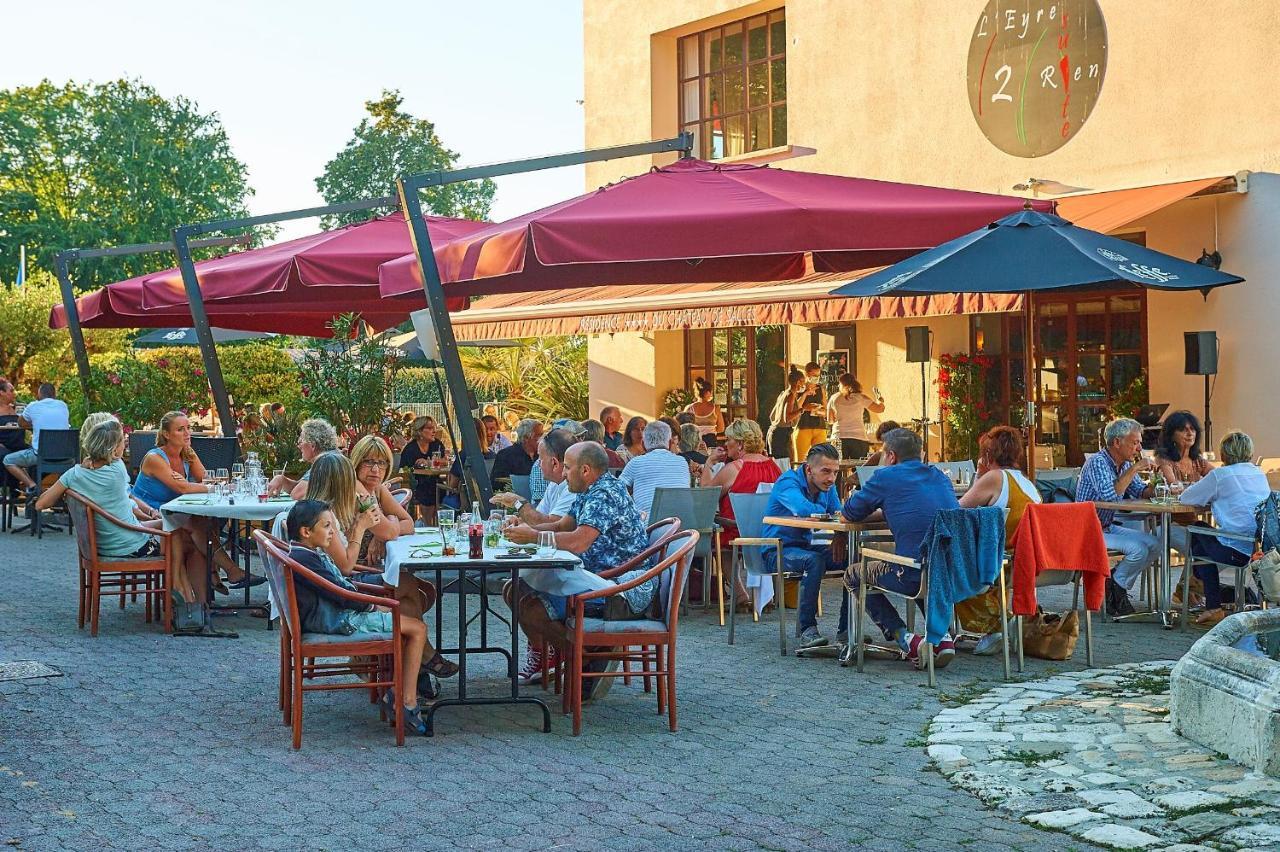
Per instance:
(171,470)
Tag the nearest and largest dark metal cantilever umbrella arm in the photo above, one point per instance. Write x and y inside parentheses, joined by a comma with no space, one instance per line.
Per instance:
(409,189)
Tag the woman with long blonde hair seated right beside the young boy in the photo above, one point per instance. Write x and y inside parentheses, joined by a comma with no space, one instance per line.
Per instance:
(333,482)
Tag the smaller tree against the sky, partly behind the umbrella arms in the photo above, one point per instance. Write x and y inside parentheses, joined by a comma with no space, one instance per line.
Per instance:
(388,145)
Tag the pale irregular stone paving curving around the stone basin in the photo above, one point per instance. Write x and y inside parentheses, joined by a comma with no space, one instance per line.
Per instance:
(1094,754)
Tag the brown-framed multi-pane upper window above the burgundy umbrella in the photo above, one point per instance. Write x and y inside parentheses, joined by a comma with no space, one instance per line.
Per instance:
(734,86)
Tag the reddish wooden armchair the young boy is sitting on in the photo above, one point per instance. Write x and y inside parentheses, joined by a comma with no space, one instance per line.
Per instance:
(301,653)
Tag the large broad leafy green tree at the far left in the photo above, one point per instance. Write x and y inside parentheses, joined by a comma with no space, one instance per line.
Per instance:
(108,166)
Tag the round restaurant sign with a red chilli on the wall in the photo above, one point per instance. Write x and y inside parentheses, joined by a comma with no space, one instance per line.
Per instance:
(1036,71)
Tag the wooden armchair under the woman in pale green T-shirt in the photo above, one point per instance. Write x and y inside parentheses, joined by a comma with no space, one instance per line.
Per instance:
(120,576)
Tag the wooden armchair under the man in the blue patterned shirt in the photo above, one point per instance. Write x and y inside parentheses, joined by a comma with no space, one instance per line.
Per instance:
(619,640)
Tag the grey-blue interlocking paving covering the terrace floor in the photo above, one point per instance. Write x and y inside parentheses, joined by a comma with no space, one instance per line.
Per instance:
(159,743)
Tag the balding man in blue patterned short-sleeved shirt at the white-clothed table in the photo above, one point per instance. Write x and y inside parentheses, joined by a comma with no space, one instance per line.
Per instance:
(602,528)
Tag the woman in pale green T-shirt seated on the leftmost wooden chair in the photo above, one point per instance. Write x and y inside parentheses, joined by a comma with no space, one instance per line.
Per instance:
(102,478)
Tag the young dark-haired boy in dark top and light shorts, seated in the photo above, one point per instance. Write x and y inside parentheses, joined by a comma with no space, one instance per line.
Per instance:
(312,528)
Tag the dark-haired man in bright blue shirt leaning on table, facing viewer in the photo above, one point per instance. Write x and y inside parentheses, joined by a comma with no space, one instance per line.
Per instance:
(802,492)
